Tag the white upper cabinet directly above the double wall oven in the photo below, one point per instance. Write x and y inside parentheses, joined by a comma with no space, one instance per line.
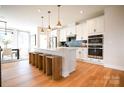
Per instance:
(95,25)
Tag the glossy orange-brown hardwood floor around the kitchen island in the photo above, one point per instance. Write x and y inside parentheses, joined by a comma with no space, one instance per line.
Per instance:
(20,74)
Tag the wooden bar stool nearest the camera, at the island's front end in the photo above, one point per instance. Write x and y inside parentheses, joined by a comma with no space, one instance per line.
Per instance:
(54,67)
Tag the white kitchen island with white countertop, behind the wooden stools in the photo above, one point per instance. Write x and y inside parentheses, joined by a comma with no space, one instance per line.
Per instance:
(68,58)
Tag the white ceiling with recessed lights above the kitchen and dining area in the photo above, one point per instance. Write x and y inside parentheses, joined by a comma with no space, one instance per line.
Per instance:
(27,17)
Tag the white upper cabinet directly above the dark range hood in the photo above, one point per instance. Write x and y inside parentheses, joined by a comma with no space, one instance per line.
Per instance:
(71,30)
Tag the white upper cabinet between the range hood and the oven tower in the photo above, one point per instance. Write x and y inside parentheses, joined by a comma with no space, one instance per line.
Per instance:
(81,31)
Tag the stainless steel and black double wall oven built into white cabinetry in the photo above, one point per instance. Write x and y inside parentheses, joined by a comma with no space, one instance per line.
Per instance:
(95,46)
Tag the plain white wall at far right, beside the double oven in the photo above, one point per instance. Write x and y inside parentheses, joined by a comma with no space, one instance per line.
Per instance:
(114,37)
